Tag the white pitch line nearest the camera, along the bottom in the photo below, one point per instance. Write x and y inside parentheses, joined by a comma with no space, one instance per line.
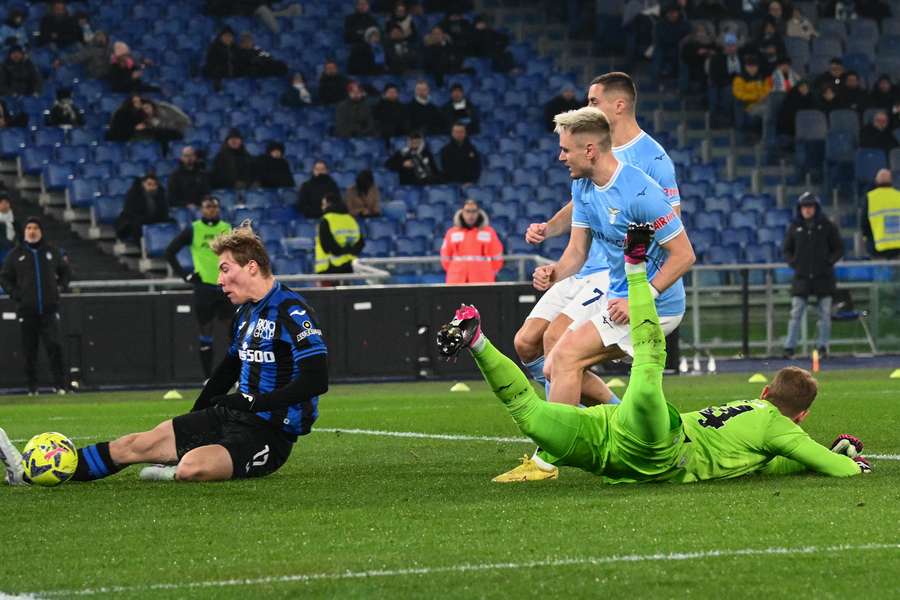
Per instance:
(476,567)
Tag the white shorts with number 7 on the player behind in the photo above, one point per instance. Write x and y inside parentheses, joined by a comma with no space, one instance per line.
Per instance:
(578,299)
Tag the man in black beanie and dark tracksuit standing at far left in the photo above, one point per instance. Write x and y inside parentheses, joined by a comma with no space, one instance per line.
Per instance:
(33,274)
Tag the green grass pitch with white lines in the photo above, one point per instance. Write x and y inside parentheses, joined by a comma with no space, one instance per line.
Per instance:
(365,515)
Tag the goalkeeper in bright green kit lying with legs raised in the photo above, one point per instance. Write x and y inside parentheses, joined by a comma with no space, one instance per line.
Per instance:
(644,438)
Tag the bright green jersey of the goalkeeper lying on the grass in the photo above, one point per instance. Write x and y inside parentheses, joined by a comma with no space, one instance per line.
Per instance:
(749,436)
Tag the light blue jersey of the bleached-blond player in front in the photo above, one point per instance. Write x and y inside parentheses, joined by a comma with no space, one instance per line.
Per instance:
(630,196)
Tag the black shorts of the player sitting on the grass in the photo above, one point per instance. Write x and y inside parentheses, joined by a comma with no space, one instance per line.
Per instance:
(256,448)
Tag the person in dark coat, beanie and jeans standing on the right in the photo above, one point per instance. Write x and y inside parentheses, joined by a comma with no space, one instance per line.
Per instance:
(812,245)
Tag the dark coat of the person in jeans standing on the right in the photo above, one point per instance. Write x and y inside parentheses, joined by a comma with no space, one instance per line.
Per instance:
(811,248)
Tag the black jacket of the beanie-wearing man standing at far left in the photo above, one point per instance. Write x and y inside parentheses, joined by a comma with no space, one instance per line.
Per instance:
(18,277)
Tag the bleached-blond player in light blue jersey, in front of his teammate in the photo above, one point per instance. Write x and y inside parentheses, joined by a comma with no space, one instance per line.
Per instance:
(613,194)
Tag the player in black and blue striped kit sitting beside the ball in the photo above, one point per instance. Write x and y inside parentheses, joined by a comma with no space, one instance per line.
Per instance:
(278,358)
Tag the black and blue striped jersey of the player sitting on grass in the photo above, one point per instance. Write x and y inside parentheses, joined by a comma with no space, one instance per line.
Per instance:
(271,338)
